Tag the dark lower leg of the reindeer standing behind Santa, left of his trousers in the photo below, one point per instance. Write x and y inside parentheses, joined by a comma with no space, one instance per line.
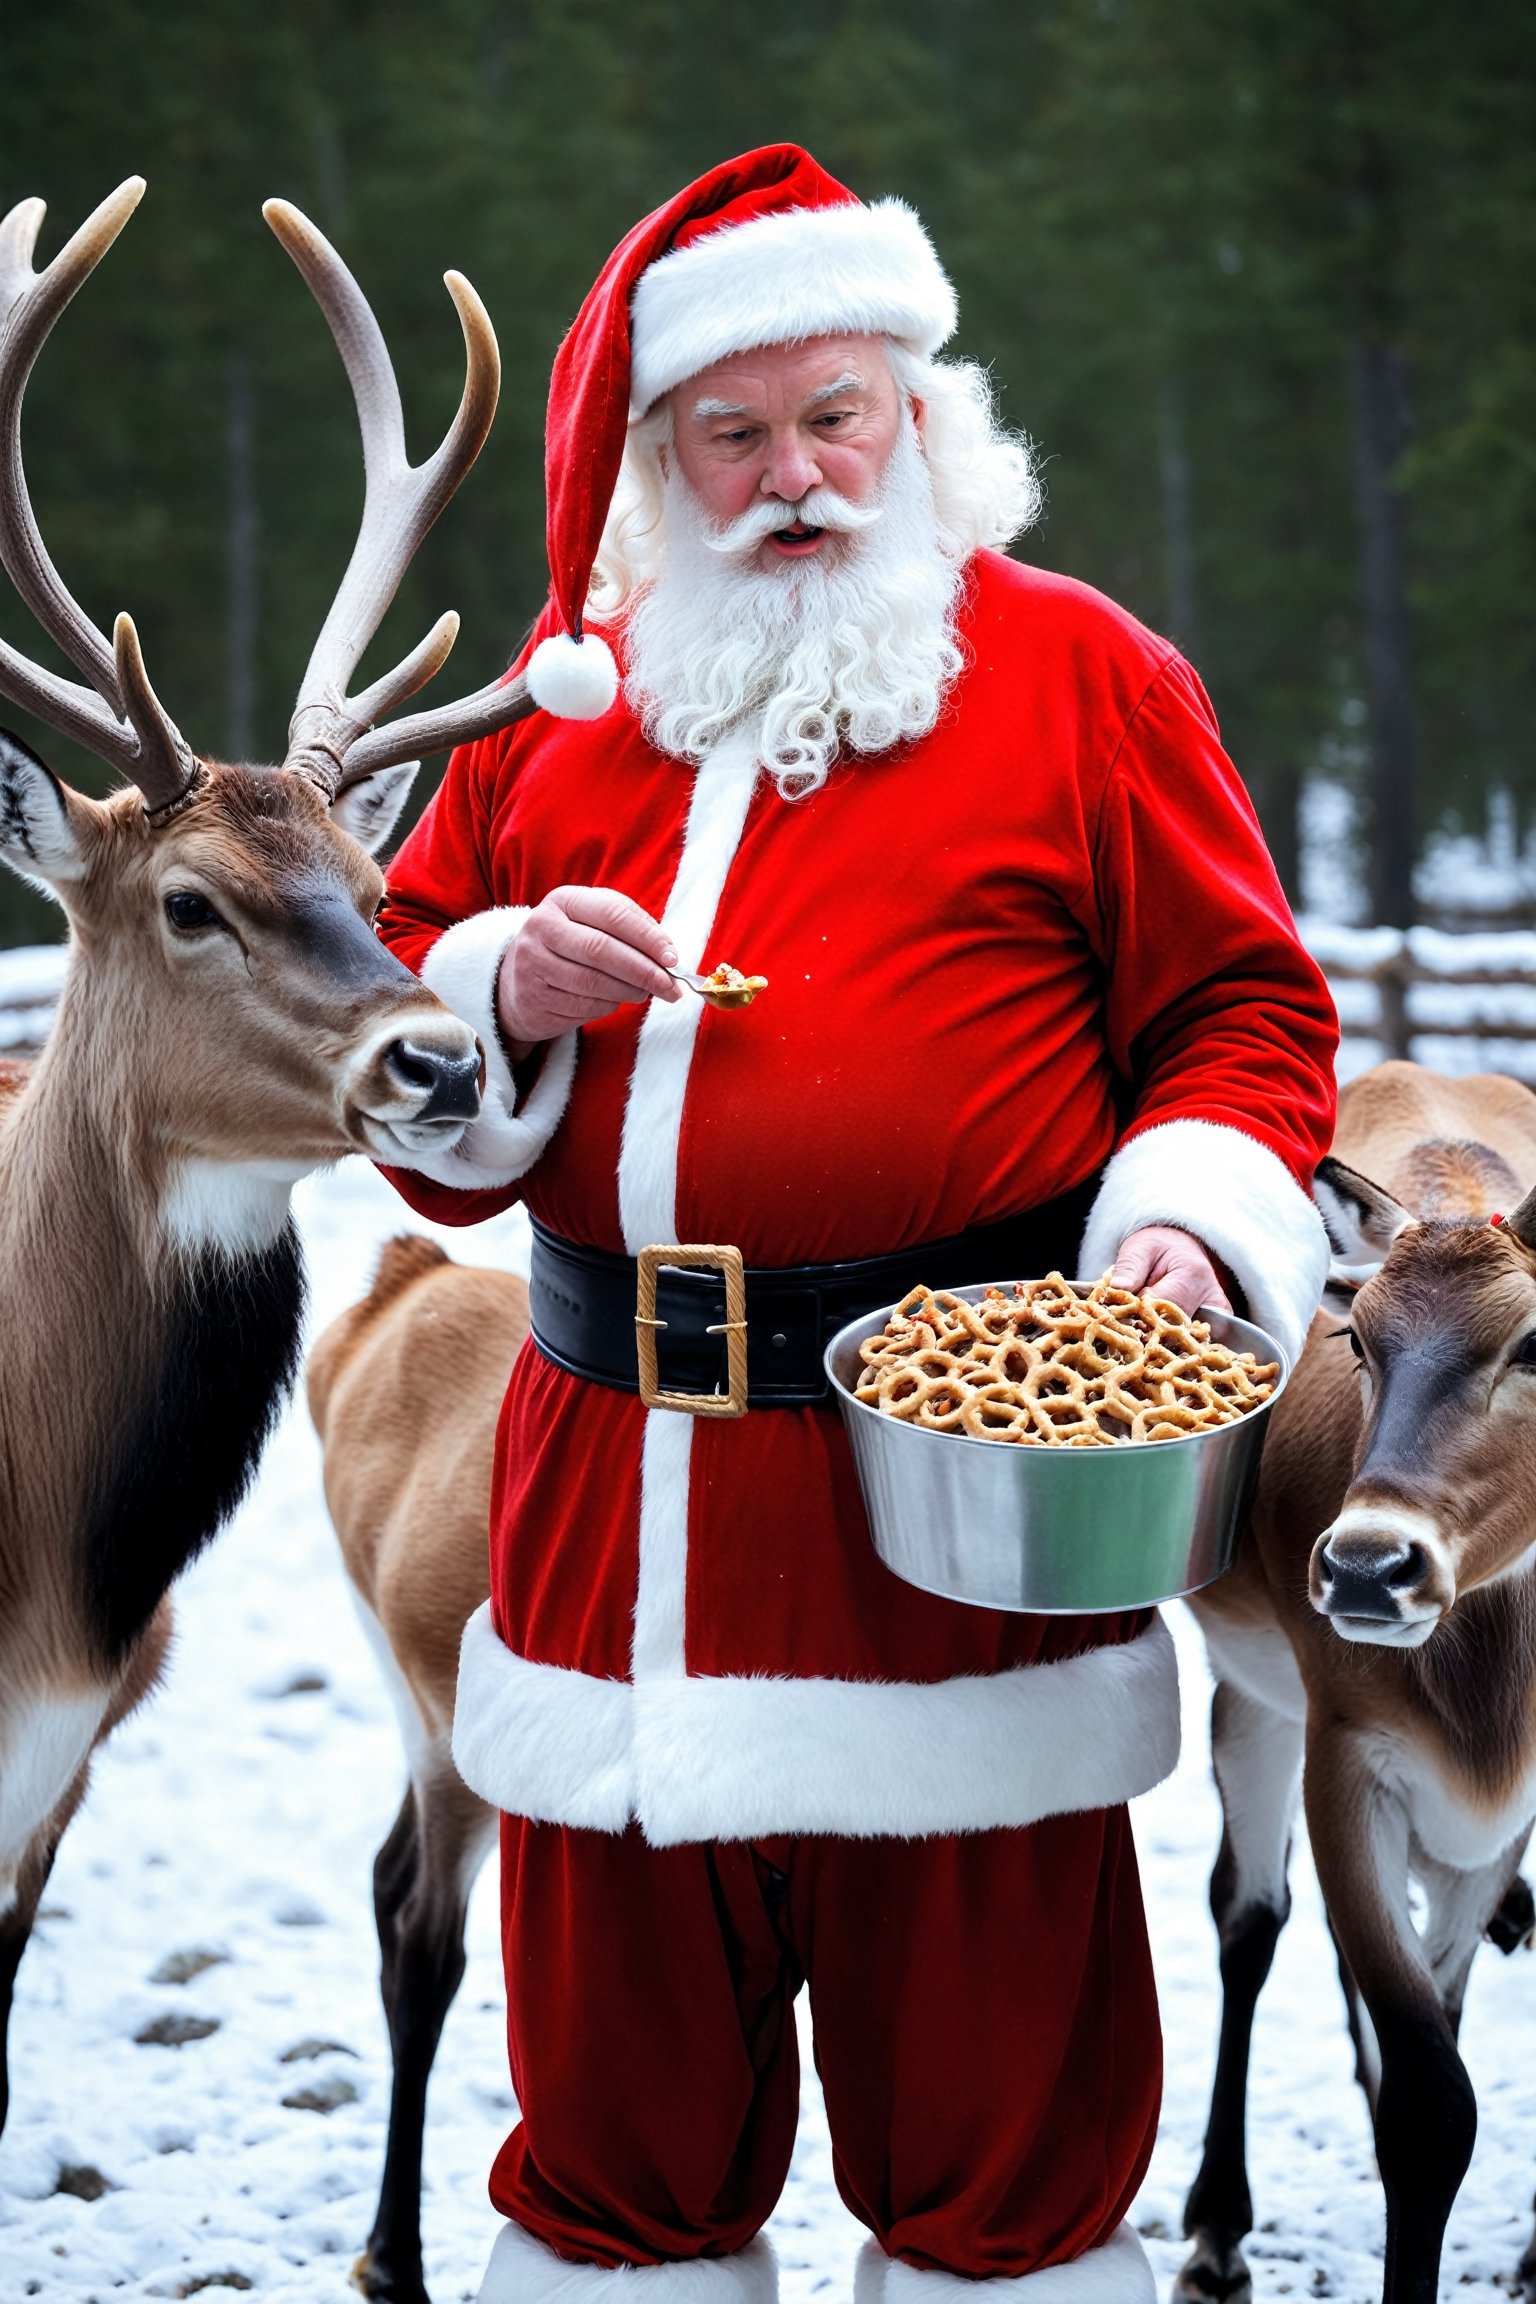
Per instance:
(423,1881)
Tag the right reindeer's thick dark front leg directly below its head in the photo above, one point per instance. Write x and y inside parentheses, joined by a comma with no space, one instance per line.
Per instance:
(1427,2109)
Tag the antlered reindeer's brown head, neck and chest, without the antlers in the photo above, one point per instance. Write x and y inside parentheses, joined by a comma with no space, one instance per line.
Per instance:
(151,1282)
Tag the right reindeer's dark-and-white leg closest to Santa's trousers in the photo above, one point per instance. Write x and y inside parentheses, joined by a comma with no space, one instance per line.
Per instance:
(1259,1761)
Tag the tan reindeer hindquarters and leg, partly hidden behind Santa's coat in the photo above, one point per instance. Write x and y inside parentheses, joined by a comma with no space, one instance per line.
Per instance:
(406,1390)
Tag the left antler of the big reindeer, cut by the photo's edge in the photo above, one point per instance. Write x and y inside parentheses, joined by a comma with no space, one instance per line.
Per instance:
(119,715)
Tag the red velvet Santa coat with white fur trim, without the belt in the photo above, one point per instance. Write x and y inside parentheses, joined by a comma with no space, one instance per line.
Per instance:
(1040,941)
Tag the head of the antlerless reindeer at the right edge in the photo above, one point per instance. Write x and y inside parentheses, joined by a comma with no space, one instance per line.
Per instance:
(1443,1496)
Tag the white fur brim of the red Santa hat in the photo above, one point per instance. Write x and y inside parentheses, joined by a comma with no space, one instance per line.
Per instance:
(842,271)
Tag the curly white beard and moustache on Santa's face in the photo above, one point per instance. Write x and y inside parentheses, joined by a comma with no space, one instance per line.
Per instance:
(814,655)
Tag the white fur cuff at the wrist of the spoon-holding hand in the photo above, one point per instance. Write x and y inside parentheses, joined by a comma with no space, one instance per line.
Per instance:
(508,1139)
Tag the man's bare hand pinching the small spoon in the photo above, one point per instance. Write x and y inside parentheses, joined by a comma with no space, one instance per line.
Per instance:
(579,955)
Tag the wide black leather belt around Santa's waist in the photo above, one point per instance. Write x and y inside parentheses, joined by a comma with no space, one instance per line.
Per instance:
(586,1305)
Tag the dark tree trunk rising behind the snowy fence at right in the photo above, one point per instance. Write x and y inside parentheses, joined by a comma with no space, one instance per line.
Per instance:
(1378,391)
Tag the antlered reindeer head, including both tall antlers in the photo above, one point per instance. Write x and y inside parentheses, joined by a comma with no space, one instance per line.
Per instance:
(229,1006)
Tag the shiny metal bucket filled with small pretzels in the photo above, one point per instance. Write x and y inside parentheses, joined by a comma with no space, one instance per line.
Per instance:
(1056,1446)
